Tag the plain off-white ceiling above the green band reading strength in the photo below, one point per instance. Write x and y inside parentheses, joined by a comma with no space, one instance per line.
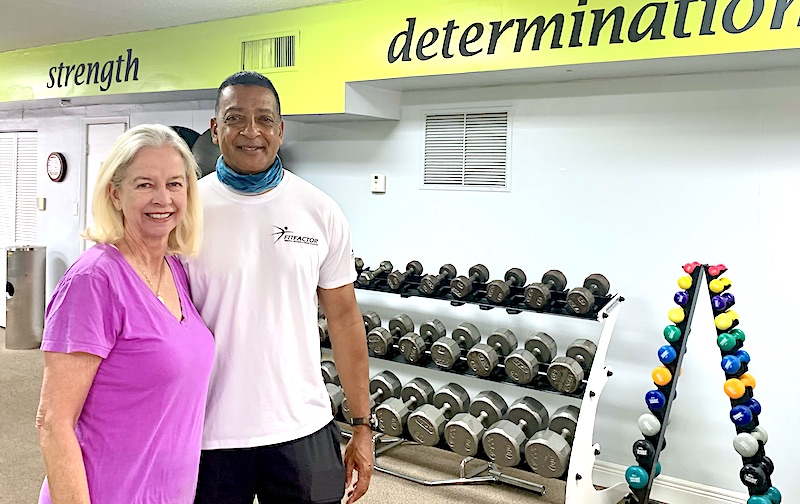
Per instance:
(33,23)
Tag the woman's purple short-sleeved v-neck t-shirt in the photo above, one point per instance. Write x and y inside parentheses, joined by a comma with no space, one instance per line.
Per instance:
(141,424)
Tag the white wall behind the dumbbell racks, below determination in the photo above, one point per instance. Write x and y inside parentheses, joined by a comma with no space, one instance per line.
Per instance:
(631,178)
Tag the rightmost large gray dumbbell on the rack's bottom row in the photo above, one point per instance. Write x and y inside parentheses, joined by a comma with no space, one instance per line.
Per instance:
(547,452)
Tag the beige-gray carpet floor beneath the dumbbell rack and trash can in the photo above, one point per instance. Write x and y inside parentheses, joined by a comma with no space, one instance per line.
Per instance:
(22,470)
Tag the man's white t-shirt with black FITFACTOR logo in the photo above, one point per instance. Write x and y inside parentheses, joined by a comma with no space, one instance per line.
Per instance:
(255,285)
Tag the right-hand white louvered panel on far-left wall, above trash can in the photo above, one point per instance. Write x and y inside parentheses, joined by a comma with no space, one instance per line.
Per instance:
(27,188)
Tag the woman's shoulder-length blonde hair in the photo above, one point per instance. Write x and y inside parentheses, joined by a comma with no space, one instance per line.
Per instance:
(108,225)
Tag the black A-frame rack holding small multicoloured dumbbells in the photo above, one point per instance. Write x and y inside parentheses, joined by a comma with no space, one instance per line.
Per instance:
(642,495)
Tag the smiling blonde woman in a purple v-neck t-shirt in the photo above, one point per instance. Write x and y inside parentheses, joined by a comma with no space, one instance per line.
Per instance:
(127,357)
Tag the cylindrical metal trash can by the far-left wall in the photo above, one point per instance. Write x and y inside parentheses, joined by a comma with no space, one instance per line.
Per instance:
(25,281)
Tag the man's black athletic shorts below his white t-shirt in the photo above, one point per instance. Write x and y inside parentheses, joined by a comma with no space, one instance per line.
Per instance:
(309,469)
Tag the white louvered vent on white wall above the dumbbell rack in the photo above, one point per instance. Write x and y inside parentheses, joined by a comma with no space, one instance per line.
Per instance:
(466,151)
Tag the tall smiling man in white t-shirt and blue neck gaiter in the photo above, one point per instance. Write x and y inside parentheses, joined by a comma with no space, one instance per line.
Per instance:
(273,246)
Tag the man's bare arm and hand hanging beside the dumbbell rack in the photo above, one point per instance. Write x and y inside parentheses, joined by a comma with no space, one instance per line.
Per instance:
(349,343)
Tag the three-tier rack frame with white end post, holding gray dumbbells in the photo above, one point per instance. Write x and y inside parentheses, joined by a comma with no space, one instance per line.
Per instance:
(579,486)
